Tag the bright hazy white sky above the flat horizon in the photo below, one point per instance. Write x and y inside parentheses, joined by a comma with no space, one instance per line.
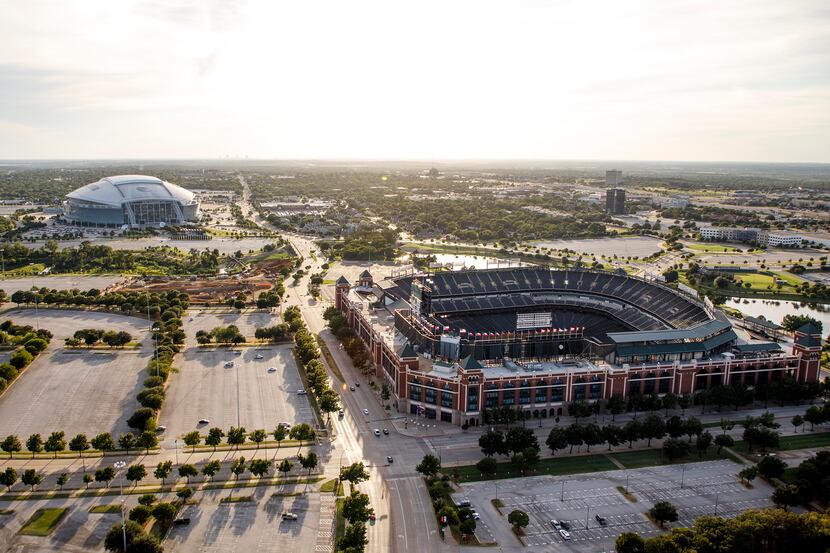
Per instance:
(396,79)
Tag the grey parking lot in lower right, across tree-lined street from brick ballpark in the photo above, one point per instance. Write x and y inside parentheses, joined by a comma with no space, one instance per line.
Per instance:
(707,488)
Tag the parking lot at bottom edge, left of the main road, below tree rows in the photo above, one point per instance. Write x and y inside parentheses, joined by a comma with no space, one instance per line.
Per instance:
(249,526)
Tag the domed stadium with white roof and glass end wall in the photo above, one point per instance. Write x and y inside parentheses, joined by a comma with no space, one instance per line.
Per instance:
(133,200)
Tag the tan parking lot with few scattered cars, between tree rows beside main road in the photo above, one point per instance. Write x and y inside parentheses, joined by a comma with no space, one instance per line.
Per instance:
(246,393)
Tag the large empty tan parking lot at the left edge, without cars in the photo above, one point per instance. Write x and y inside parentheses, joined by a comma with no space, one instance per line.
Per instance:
(74,391)
